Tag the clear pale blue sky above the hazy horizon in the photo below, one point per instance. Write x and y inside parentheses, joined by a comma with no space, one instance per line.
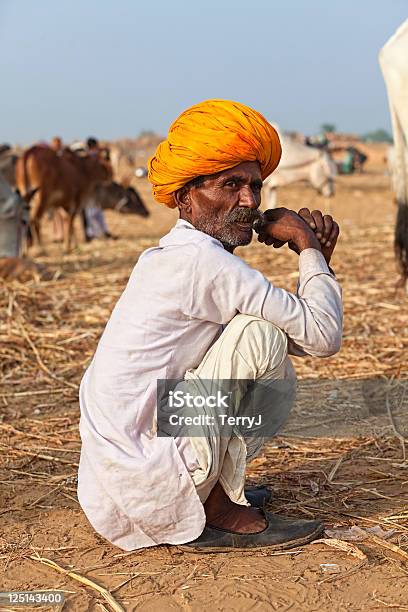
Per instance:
(115,67)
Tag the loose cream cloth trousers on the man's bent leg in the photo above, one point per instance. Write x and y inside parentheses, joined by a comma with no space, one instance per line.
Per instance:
(249,350)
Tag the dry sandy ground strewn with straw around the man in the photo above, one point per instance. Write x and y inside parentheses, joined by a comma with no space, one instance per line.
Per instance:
(341,456)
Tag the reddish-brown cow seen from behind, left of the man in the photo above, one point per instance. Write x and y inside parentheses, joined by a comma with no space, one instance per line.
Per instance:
(64,179)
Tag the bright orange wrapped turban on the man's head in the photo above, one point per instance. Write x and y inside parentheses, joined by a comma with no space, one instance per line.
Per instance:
(208,138)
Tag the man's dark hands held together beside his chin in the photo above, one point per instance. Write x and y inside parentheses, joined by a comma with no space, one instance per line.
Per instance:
(300,230)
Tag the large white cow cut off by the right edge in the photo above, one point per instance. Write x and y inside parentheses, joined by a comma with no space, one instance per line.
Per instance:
(393,59)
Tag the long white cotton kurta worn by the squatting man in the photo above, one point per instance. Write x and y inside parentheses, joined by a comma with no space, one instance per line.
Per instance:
(134,487)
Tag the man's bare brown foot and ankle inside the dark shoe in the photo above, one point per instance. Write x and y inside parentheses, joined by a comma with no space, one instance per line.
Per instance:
(221,512)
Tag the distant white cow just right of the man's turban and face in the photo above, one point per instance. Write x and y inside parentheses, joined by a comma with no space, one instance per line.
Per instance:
(300,163)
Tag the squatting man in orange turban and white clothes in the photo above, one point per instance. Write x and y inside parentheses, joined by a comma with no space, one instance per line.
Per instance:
(193,309)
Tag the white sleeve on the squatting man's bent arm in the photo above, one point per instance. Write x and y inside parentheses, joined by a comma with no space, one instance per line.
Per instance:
(224,285)
